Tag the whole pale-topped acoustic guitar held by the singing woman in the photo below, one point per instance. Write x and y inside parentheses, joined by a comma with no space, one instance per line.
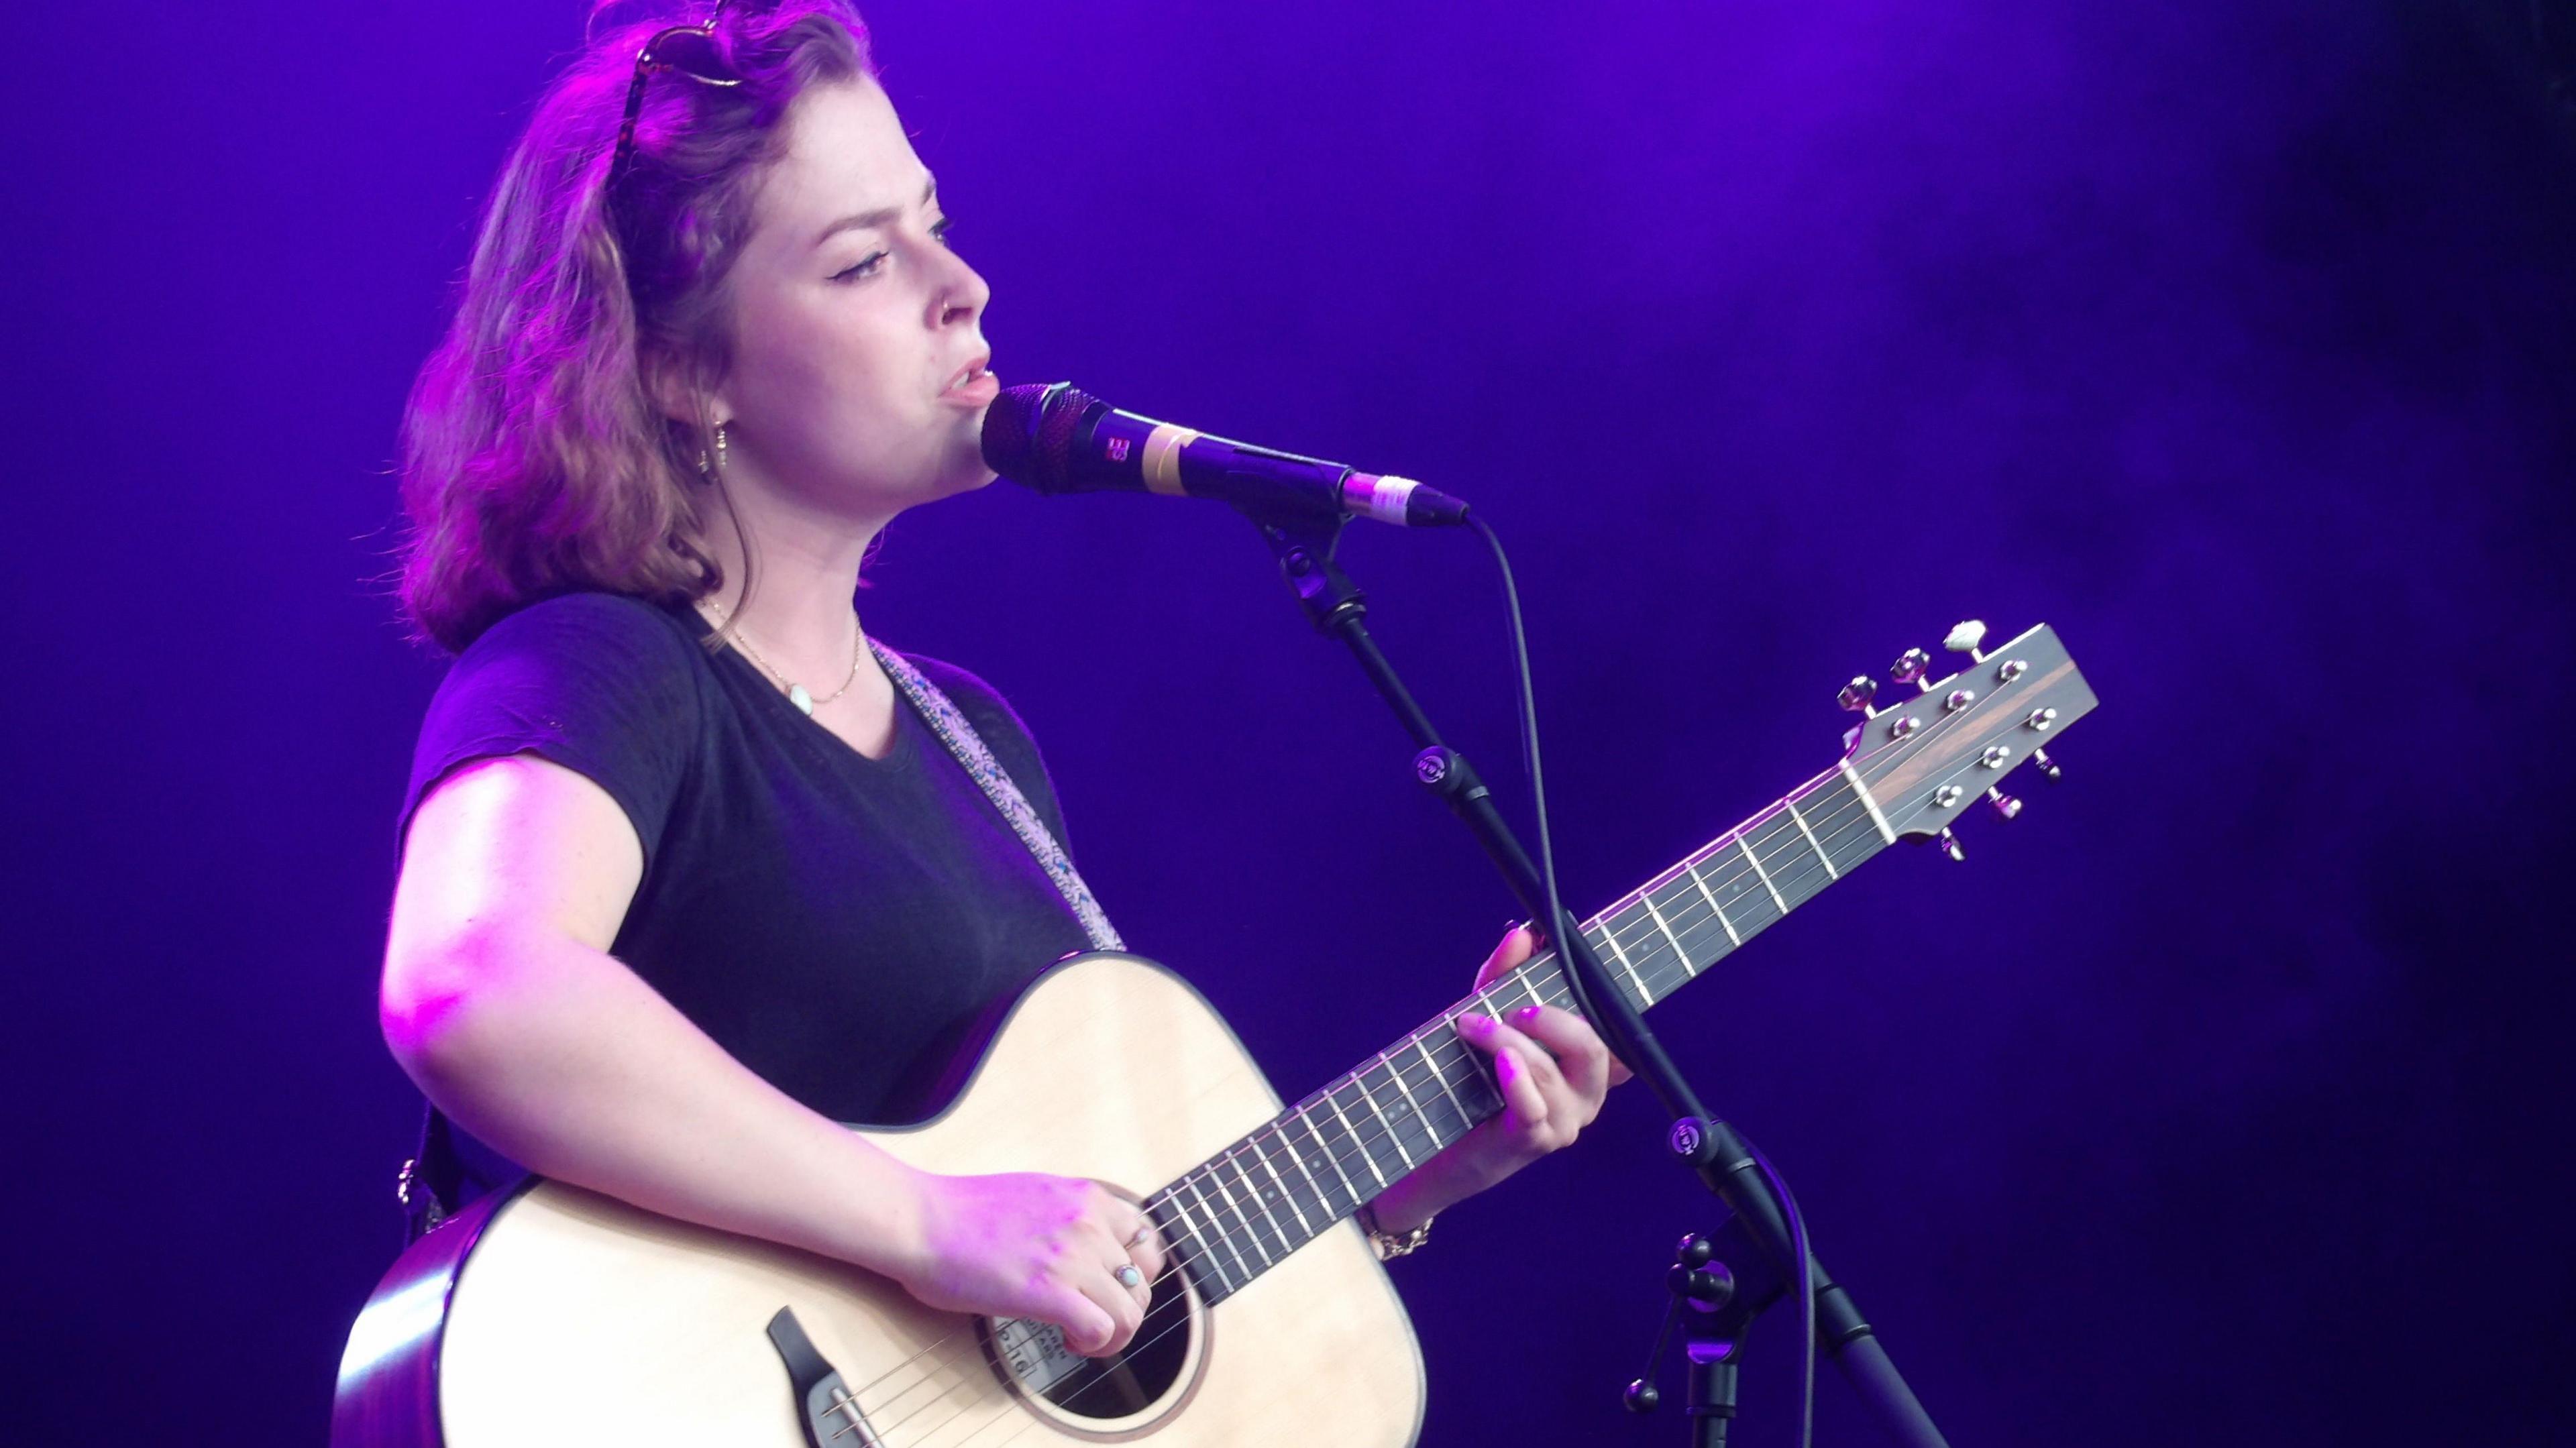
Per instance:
(555,1315)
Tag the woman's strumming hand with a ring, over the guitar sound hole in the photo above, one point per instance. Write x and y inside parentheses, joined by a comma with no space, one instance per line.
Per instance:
(1034,1246)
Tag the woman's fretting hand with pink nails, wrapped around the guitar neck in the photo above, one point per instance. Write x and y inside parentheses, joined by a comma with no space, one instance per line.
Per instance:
(1552,1071)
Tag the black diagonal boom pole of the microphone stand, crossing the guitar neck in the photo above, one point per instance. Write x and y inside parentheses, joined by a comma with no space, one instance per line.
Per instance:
(1699,1140)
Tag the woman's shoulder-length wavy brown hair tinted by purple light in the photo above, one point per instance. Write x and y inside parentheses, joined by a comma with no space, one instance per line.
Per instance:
(535,457)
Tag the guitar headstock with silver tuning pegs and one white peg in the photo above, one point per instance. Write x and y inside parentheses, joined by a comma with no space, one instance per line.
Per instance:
(1936,754)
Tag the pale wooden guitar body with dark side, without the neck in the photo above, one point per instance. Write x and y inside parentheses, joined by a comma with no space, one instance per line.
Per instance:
(555,1315)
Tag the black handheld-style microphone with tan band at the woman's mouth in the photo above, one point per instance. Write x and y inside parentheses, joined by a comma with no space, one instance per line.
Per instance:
(1063,439)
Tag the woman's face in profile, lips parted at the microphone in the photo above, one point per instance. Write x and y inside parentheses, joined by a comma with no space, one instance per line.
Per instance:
(859,349)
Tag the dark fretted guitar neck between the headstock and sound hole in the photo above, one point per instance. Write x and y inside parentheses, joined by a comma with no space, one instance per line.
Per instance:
(1245,1210)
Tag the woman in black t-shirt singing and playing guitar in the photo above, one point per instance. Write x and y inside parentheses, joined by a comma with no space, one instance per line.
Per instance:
(687,872)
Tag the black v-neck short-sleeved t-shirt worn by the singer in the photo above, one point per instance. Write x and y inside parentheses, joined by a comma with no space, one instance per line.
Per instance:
(849,929)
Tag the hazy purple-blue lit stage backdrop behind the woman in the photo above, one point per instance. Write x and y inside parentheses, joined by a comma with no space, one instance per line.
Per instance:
(2222,1096)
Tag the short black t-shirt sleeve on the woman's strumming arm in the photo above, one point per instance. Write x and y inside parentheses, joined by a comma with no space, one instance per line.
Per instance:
(599,684)
